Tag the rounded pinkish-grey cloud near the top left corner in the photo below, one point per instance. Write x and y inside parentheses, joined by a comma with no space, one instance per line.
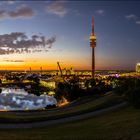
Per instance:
(22,11)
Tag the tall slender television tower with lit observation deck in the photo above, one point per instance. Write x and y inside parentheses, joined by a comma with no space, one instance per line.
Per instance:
(93,45)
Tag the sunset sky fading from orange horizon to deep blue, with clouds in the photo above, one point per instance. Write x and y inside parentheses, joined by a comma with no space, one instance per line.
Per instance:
(39,33)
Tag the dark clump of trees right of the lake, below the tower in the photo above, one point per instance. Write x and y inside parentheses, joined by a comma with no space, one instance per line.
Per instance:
(71,90)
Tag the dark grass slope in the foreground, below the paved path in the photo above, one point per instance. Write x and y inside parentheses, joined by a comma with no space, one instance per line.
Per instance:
(122,124)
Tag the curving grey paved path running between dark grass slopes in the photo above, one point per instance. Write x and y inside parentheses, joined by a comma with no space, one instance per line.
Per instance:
(62,120)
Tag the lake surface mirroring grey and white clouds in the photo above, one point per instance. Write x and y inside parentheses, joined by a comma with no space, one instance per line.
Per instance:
(19,99)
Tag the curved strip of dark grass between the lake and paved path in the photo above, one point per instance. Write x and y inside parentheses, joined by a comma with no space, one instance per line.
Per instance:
(103,102)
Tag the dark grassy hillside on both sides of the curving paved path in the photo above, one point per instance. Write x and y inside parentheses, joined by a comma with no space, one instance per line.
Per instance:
(121,124)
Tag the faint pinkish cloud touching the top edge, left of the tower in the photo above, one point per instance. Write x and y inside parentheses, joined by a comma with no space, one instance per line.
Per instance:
(57,8)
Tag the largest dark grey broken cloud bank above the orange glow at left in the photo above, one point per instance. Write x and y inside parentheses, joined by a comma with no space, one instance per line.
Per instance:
(18,42)
